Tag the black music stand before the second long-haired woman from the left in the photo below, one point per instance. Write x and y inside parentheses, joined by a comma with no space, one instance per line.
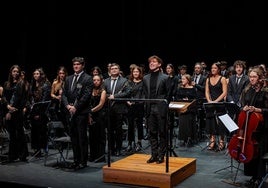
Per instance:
(38,108)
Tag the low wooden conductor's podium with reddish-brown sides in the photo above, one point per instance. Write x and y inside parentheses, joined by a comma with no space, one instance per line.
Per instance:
(134,170)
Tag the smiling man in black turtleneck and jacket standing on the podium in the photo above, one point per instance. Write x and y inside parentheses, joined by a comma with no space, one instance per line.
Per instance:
(155,86)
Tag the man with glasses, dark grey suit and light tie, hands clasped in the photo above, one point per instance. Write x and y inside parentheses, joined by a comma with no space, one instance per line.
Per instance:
(117,86)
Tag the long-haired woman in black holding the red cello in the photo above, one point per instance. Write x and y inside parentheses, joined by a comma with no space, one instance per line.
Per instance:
(254,98)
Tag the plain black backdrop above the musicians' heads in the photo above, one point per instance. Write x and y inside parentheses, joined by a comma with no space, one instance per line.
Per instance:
(50,34)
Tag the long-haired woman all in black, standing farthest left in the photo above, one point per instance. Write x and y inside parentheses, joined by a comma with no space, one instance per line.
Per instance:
(16,97)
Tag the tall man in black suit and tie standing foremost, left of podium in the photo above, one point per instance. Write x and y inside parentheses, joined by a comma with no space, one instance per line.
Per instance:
(76,98)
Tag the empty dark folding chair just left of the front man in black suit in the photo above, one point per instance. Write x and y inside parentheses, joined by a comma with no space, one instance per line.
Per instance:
(58,139)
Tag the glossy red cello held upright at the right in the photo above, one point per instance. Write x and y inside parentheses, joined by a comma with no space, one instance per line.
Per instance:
(242,146)
